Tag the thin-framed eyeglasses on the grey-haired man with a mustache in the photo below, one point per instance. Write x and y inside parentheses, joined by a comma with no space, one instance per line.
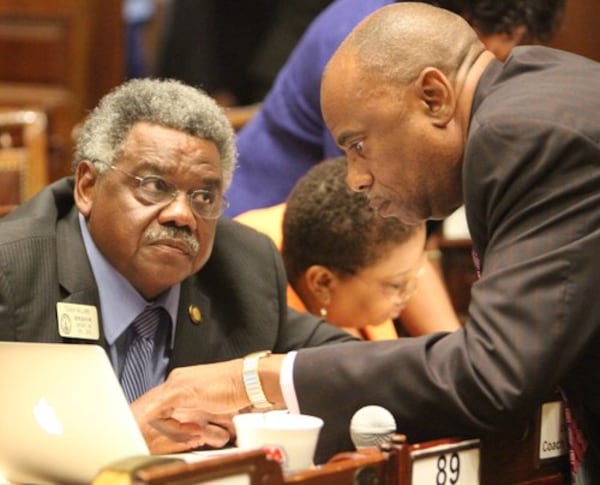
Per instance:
(153,189)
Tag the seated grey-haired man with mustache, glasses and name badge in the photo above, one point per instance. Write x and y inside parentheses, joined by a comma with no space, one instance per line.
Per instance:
(139,227)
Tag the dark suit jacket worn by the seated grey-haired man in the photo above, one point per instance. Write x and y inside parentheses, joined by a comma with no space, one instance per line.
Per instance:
(240,291)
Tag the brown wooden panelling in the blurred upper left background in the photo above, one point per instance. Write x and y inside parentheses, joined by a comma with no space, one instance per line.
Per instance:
(60,56)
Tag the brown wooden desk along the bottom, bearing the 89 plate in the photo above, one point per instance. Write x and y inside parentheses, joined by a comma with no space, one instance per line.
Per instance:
(501,460)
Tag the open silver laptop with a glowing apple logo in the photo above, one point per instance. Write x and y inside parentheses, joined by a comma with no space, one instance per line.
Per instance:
(63,414)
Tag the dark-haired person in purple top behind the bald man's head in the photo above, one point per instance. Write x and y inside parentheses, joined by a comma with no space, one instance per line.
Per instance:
(288,135)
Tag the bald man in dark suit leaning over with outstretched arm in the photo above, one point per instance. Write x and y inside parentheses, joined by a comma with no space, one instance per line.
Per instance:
(429,120)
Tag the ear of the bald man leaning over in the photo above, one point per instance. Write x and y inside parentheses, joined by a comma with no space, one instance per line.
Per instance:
(437,94)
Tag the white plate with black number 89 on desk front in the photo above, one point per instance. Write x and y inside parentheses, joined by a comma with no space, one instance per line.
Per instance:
(454,462)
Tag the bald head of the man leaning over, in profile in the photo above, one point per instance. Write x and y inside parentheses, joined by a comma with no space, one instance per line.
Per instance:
(396,96)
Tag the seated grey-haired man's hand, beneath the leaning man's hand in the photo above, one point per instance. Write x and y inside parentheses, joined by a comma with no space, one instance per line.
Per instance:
(205,430)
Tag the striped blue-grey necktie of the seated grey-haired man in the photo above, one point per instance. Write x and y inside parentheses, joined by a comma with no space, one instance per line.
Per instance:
(136,377)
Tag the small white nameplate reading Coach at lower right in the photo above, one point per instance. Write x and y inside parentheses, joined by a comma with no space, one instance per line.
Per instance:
(553,431)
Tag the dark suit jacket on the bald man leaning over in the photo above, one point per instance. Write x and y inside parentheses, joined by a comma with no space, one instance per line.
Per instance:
(531,174)
